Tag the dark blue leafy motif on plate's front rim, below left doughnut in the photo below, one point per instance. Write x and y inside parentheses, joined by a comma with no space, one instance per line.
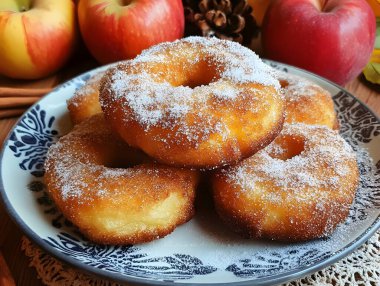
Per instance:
(129,260)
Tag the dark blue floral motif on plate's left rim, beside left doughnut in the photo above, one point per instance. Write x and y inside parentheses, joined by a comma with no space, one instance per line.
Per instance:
(31,139)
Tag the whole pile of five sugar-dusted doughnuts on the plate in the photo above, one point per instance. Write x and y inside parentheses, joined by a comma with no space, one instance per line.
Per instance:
(147,128)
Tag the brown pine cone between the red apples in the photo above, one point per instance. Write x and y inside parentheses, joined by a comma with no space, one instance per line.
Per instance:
(224,19)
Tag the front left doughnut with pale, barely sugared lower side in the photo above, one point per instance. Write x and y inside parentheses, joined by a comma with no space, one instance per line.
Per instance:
(113,205)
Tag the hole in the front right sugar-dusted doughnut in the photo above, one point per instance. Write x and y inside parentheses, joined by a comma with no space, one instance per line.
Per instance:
(287,147)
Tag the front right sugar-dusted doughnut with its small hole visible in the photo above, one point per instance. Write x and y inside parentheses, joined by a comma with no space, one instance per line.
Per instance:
(300,187)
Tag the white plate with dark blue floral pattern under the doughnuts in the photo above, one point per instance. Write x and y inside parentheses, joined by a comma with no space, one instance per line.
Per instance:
(202,251)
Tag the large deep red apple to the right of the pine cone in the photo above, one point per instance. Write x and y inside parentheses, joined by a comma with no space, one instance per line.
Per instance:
(333,38)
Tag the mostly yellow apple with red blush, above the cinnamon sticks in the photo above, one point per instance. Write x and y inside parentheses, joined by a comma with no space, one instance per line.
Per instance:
(36,37)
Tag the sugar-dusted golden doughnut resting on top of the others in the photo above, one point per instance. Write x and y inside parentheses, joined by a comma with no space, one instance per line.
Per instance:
(197,102)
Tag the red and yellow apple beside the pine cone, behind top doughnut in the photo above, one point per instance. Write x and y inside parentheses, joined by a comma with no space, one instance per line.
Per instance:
(115,30)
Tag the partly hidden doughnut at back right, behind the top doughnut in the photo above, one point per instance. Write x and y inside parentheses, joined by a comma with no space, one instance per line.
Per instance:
(307,102)
